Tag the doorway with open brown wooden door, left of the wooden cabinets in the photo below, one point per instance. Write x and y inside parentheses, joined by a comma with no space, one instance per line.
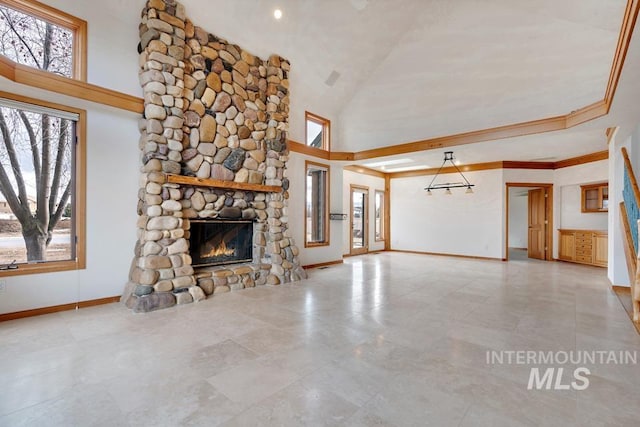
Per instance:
(529,213)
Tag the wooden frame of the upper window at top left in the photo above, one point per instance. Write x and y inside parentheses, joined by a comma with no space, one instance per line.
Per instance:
(61,19)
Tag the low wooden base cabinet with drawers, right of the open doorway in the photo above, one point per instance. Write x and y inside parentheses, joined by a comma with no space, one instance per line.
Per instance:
(584,247)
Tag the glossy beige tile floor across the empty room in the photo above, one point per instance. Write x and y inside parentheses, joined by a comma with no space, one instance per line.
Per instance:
(383,340)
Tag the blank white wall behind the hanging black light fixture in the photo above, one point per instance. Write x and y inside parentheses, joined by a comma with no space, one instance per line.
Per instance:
(462,224)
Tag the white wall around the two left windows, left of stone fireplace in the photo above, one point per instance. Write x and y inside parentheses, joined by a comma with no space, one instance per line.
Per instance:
(112,173)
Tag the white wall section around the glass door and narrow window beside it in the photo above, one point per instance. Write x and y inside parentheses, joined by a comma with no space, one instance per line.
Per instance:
(373,183)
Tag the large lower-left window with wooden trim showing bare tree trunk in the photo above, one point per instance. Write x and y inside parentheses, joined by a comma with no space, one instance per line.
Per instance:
(41,186)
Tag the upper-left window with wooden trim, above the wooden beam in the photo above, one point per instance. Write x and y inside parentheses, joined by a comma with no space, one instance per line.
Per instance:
(42,37)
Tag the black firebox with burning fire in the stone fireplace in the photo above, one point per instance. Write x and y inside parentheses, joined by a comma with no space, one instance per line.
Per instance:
(217,242)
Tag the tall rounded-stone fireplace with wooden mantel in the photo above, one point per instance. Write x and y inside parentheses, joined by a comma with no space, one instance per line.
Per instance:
(213,166)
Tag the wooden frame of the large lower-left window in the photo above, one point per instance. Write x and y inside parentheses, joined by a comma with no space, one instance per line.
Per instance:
(79,196)
